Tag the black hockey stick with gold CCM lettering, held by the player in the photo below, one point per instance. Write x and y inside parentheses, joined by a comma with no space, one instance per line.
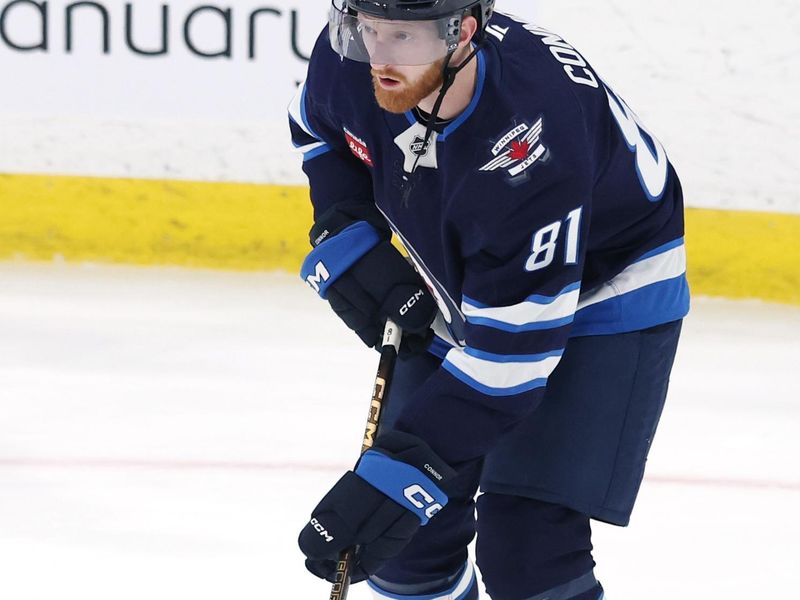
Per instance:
(392,335)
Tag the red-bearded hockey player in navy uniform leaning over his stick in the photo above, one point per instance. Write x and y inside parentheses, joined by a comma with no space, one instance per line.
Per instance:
(545,224)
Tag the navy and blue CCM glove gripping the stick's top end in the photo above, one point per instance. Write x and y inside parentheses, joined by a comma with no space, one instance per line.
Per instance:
(366,280)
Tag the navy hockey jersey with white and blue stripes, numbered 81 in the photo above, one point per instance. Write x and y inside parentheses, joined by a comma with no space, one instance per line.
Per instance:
(546,210)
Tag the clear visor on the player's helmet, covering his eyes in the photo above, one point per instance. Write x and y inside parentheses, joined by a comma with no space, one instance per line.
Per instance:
(367,39)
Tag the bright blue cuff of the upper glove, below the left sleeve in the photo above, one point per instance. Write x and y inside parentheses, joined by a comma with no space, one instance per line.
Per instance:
(333,257)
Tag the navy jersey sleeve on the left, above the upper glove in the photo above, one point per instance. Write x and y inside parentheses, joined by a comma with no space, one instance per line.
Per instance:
(335,176)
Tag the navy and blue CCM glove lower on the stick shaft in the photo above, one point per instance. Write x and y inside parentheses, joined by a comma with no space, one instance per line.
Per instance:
(395,489)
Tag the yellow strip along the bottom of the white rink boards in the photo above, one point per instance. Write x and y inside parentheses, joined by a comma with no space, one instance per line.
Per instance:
(251,227)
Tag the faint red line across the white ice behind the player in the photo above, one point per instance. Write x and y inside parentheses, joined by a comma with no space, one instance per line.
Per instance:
(257,466)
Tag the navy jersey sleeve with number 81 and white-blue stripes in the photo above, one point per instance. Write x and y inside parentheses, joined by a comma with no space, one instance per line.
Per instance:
(522,279)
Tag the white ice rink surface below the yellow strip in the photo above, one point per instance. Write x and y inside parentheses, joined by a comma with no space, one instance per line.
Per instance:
(165,433)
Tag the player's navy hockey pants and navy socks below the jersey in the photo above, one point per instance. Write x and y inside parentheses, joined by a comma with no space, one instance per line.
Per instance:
(581,455)
